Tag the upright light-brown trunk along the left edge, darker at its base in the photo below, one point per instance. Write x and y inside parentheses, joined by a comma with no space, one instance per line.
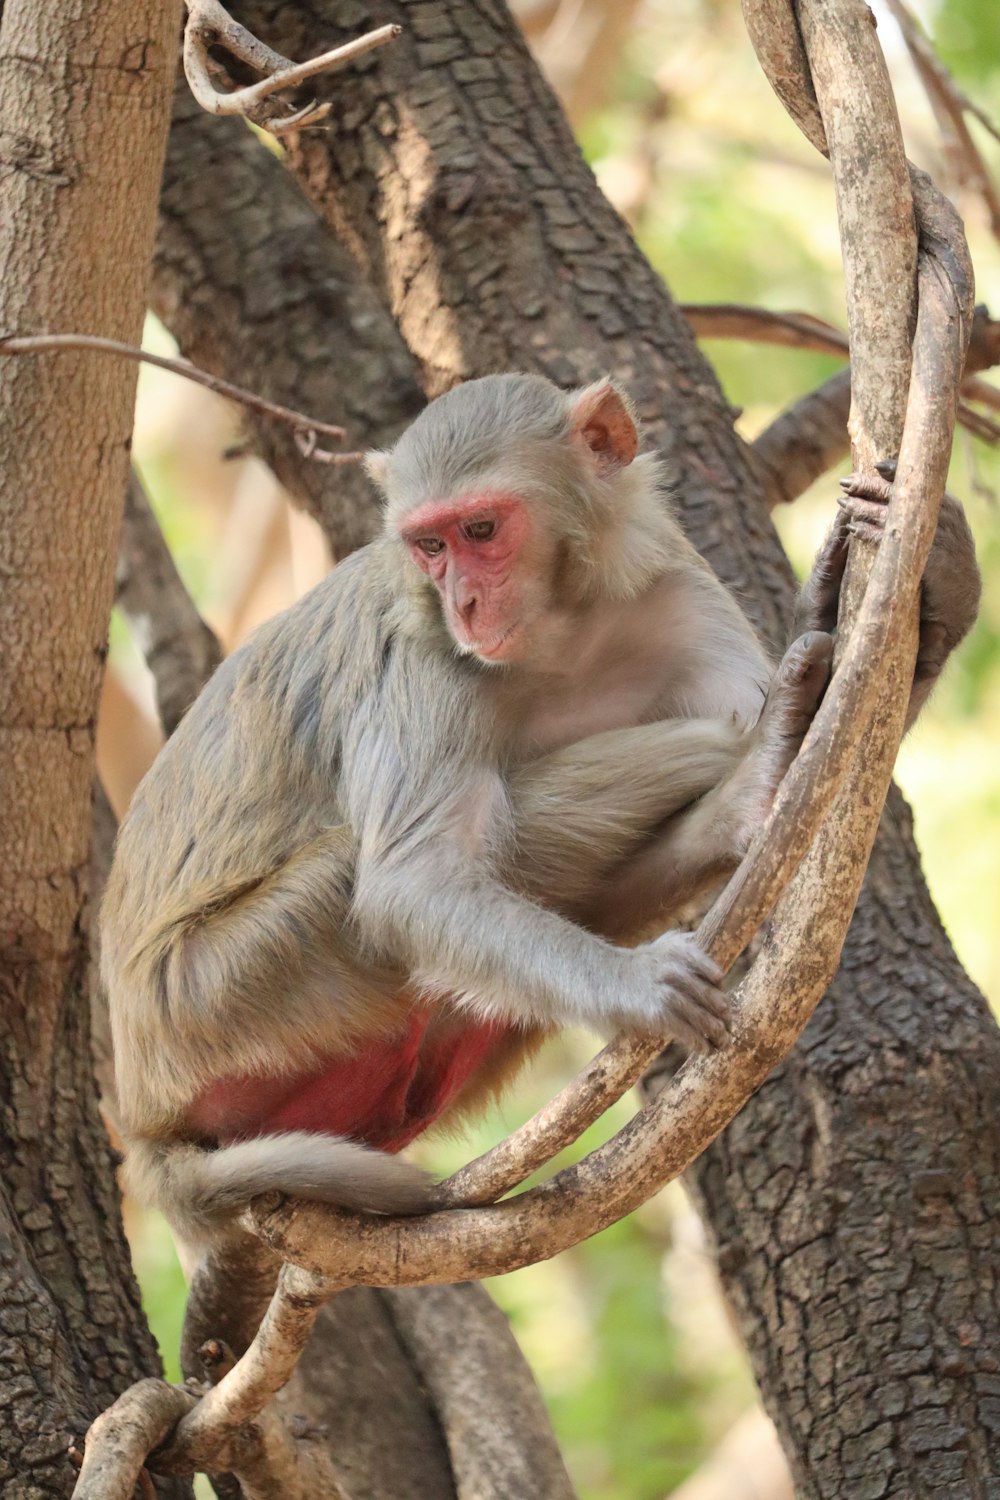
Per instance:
(83,125)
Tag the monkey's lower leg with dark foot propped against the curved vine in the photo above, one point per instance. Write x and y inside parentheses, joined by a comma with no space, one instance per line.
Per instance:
(698,847)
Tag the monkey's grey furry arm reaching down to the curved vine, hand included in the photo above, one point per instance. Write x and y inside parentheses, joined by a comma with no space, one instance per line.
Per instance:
(430,893)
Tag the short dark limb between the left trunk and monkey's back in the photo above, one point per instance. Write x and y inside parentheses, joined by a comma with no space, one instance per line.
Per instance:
(178,646)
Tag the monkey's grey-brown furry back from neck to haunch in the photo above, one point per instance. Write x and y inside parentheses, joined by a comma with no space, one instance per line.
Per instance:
(254,770)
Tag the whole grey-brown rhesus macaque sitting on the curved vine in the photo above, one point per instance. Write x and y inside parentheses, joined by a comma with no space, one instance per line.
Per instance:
(385,853)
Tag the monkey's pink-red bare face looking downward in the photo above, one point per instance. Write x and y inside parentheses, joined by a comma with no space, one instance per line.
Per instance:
(473,551)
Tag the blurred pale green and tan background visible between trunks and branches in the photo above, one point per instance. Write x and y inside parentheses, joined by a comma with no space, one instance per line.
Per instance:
(647,1384)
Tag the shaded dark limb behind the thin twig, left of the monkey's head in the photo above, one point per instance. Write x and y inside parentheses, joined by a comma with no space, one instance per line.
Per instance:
(247,278)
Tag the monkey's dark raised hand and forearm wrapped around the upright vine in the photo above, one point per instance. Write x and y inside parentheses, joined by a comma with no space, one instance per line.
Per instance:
(950,595)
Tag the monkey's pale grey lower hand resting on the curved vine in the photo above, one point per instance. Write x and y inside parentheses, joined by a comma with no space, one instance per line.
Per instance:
(677,989)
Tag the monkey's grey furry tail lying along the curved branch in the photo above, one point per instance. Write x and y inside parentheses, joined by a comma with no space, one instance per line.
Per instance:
(203,1189)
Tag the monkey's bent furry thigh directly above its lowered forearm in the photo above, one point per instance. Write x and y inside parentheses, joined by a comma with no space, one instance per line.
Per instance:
(579,812)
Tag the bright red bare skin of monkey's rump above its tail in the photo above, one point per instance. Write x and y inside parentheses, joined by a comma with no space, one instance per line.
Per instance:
(383,1097)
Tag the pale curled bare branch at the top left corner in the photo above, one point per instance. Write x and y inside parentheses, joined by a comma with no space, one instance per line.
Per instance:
(211,26)
